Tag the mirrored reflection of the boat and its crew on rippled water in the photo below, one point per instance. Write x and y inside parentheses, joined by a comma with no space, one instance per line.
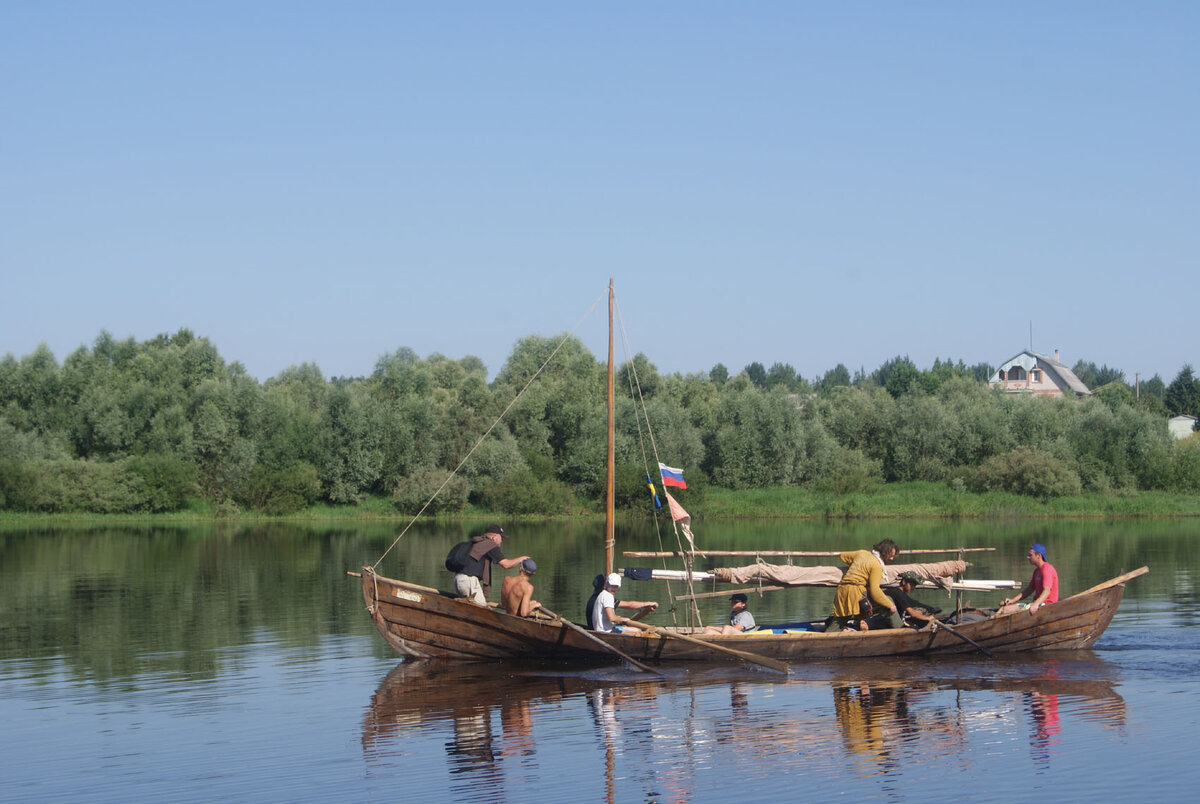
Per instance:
(867,718)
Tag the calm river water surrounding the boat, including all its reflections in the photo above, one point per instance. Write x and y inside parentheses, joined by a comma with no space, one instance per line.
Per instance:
(213,664)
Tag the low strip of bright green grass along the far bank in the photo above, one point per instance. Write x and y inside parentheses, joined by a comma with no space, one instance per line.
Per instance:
(895,501)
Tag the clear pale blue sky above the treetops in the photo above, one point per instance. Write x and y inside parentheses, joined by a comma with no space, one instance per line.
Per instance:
(801,183)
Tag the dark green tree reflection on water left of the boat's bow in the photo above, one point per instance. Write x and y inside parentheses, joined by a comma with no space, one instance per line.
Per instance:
(116,603)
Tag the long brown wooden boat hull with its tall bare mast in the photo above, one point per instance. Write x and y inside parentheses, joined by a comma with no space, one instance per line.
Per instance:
(424,623)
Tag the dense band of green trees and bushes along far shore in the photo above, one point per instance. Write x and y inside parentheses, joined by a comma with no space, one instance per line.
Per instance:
(128,427)
